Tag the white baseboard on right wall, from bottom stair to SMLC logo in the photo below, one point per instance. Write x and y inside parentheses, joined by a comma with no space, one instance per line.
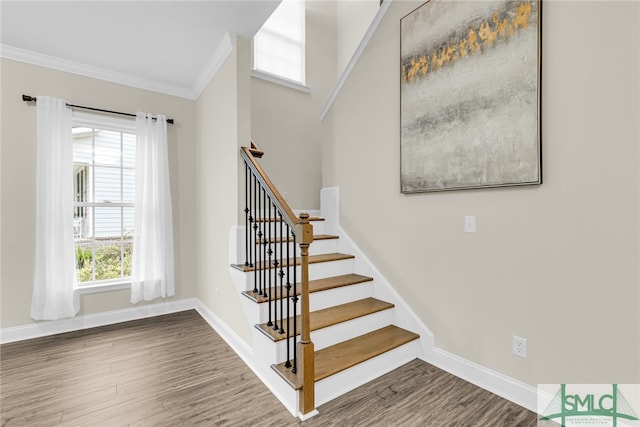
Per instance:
(502,385)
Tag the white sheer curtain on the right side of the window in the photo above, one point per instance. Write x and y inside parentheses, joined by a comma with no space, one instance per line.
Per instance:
(152,261)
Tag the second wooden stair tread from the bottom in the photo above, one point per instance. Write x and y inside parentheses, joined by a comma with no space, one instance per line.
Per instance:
(329,316)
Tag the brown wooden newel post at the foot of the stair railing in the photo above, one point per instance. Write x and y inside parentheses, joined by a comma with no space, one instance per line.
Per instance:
(306,369)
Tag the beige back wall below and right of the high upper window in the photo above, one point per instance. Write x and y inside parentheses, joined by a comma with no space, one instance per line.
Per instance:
(284,121)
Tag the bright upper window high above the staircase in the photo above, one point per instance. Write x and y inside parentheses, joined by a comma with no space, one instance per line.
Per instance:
(278,48)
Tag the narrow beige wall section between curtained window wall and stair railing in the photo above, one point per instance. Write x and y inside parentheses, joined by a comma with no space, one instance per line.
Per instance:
(222,117)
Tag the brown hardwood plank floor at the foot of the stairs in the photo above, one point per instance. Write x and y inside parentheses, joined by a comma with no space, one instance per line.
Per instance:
(174,370)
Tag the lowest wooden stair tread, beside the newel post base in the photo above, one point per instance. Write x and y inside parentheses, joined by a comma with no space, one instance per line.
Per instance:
(344,355)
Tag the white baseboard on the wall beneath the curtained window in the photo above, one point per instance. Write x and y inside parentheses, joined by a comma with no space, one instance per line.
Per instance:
(43,329)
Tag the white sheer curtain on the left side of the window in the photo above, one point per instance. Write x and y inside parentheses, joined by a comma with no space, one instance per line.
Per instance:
(55,273)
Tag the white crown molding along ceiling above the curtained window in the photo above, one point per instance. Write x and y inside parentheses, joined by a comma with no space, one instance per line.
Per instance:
(35,58)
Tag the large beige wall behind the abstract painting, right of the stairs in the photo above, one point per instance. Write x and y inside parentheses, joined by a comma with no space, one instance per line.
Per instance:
(558,263)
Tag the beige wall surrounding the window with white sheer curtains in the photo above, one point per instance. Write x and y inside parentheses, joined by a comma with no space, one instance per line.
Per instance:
(18,178)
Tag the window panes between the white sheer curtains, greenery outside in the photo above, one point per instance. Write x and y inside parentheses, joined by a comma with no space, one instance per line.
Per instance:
(104,192)
